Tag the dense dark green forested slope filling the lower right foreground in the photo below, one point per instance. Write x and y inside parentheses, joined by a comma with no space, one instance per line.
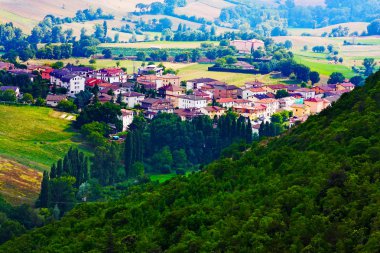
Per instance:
(316,189)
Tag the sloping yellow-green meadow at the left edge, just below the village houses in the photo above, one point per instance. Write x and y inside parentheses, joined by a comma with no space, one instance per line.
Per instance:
(34,136)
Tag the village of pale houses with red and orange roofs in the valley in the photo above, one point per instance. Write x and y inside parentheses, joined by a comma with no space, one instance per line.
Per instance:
(202,96)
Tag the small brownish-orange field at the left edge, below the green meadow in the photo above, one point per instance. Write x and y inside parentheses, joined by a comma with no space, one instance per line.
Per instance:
(18,183)
